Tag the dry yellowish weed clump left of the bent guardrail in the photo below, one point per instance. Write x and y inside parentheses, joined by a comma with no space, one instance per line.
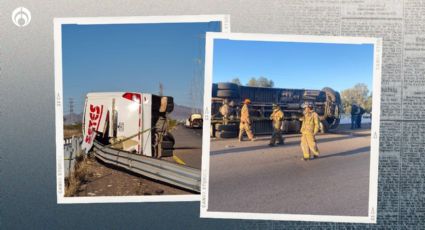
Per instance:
(78,176)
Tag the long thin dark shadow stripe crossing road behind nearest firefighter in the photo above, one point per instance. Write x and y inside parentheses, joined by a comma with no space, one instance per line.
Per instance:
(292,143)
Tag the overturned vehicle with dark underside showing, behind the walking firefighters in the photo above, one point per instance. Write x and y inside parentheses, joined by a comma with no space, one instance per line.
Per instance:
(327,103)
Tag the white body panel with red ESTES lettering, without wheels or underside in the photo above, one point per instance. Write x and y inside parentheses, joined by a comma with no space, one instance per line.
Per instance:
(124,118)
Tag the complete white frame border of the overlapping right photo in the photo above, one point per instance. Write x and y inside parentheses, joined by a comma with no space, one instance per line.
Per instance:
(374,152)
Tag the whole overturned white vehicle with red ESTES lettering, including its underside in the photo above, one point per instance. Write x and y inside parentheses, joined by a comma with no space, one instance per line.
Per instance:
(130,121)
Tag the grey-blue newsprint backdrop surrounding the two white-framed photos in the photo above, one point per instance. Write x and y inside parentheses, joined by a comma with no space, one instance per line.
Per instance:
(28,186)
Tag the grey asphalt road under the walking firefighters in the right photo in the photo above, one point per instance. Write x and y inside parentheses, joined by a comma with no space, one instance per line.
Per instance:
(252,177)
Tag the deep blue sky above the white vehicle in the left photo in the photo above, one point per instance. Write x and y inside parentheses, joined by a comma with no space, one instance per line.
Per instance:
(134,57)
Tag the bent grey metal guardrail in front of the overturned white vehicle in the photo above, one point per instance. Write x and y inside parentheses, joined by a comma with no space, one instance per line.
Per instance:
(171,173)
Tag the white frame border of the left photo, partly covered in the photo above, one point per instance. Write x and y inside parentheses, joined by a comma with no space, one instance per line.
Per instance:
(60,172)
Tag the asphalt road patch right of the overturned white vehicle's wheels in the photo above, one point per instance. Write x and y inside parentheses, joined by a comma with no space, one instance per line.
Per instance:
(188,146)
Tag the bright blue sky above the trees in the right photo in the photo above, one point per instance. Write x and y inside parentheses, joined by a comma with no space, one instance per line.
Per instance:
(294,64)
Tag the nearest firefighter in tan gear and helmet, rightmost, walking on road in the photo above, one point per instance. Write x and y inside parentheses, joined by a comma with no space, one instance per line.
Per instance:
(309,129)
